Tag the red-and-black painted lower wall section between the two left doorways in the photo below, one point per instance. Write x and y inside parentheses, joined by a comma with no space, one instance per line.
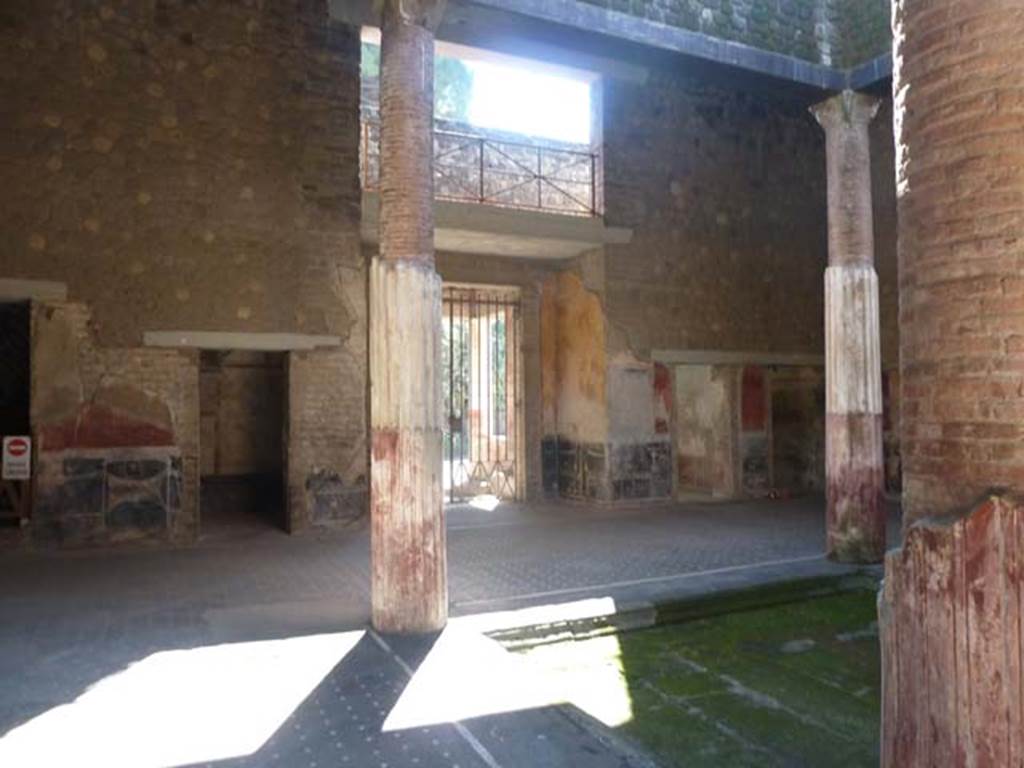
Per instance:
(116,432)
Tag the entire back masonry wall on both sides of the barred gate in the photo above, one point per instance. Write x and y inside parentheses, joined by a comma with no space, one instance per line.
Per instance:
(193,167)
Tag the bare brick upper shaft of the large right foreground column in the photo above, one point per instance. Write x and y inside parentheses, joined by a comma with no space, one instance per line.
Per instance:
(961,177)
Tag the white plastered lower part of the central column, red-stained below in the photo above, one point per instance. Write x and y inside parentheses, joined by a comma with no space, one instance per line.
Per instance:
(409,561)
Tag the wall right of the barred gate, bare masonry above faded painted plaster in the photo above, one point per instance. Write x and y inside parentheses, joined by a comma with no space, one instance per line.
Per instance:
(724,191)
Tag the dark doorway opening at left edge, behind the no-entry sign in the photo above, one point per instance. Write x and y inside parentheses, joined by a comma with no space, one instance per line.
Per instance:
(16,381)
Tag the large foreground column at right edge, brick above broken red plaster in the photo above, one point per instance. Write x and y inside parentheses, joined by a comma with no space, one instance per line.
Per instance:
(951,613)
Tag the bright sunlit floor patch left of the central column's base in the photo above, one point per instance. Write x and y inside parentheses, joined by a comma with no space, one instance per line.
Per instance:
(179,708)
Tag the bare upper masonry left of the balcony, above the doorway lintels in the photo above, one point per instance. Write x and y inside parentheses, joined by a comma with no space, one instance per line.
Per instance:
(182,163)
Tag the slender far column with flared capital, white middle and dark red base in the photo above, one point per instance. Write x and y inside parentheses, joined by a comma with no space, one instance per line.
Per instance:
(855,475)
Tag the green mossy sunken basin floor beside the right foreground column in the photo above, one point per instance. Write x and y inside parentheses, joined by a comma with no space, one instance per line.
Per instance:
(789,686)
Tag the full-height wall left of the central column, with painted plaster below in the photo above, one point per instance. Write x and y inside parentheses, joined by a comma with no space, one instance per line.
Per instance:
(182,166)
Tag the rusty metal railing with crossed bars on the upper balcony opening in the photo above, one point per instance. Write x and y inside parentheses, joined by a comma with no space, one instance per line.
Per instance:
(473,168)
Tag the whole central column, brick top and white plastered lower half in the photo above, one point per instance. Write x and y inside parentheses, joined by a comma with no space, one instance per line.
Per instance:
(409,562)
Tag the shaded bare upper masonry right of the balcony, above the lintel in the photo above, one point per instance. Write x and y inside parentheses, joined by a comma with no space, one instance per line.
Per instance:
(726,192)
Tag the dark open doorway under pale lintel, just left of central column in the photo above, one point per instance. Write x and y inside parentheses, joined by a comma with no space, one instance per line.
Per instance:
(242,425)
